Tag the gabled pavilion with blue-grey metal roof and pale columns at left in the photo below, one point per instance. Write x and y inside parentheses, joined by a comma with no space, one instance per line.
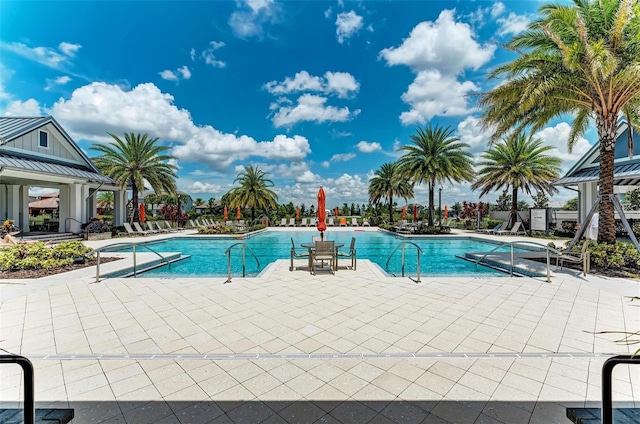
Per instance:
(38,152)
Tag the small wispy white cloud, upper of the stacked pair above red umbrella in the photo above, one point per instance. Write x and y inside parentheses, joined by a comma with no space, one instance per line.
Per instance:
(341,83)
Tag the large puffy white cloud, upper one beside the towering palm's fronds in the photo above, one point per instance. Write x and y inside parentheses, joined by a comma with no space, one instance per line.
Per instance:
(445,45)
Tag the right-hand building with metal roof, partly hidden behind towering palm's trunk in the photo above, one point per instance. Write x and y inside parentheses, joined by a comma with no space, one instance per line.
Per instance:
(585,174)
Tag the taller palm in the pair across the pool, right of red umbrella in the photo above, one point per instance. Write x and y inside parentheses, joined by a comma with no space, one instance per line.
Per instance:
(434,157)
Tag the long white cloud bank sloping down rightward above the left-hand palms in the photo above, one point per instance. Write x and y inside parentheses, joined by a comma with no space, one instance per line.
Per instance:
(98,108)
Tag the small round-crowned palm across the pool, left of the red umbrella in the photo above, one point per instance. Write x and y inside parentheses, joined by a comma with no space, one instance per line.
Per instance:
(254,191)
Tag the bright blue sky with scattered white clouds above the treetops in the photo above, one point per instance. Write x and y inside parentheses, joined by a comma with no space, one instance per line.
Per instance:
(312,92)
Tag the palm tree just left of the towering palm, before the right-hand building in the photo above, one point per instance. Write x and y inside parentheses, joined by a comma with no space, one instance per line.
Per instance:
(519,162)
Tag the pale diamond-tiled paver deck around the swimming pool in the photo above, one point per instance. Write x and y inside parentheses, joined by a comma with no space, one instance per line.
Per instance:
(289,347)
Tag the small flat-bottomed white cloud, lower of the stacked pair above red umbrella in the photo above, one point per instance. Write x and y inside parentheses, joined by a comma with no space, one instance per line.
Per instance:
(311,108)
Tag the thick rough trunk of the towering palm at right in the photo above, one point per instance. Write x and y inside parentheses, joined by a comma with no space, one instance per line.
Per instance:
(607,220)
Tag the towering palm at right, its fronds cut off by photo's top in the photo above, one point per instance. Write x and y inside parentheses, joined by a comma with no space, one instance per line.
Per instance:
(580,60)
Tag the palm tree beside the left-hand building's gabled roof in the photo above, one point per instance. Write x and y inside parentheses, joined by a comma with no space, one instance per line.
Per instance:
(134,160)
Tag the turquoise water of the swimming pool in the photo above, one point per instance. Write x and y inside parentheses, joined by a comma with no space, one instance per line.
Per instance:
(208,258)
